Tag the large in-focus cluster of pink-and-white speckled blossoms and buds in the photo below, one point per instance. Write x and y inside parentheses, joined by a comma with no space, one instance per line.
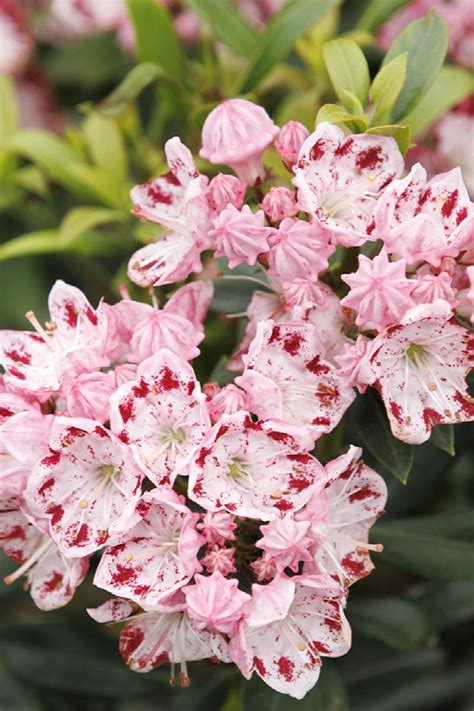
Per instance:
(221,535)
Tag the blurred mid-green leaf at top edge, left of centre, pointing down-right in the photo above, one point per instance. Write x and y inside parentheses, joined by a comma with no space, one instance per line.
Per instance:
(156,38)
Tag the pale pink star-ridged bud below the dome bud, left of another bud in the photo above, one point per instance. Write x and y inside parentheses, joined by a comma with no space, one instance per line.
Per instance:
(240,235)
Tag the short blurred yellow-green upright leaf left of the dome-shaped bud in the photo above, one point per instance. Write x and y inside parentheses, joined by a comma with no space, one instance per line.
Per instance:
(106,145)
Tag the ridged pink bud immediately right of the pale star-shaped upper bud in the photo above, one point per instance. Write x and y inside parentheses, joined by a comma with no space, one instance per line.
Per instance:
(298,251)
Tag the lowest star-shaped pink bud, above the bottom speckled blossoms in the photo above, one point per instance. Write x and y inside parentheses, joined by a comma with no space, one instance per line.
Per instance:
(215,603)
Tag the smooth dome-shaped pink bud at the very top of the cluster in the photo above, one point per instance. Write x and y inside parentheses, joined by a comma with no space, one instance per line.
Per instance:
(236,133)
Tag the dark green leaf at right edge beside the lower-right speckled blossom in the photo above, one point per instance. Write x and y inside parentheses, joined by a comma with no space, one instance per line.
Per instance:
(426,546)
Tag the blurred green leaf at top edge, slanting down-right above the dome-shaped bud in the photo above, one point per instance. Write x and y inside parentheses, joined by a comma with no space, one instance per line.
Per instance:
(228,24)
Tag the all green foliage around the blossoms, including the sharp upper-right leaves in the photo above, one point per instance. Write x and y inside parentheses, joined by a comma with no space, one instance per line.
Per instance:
(65,212)
